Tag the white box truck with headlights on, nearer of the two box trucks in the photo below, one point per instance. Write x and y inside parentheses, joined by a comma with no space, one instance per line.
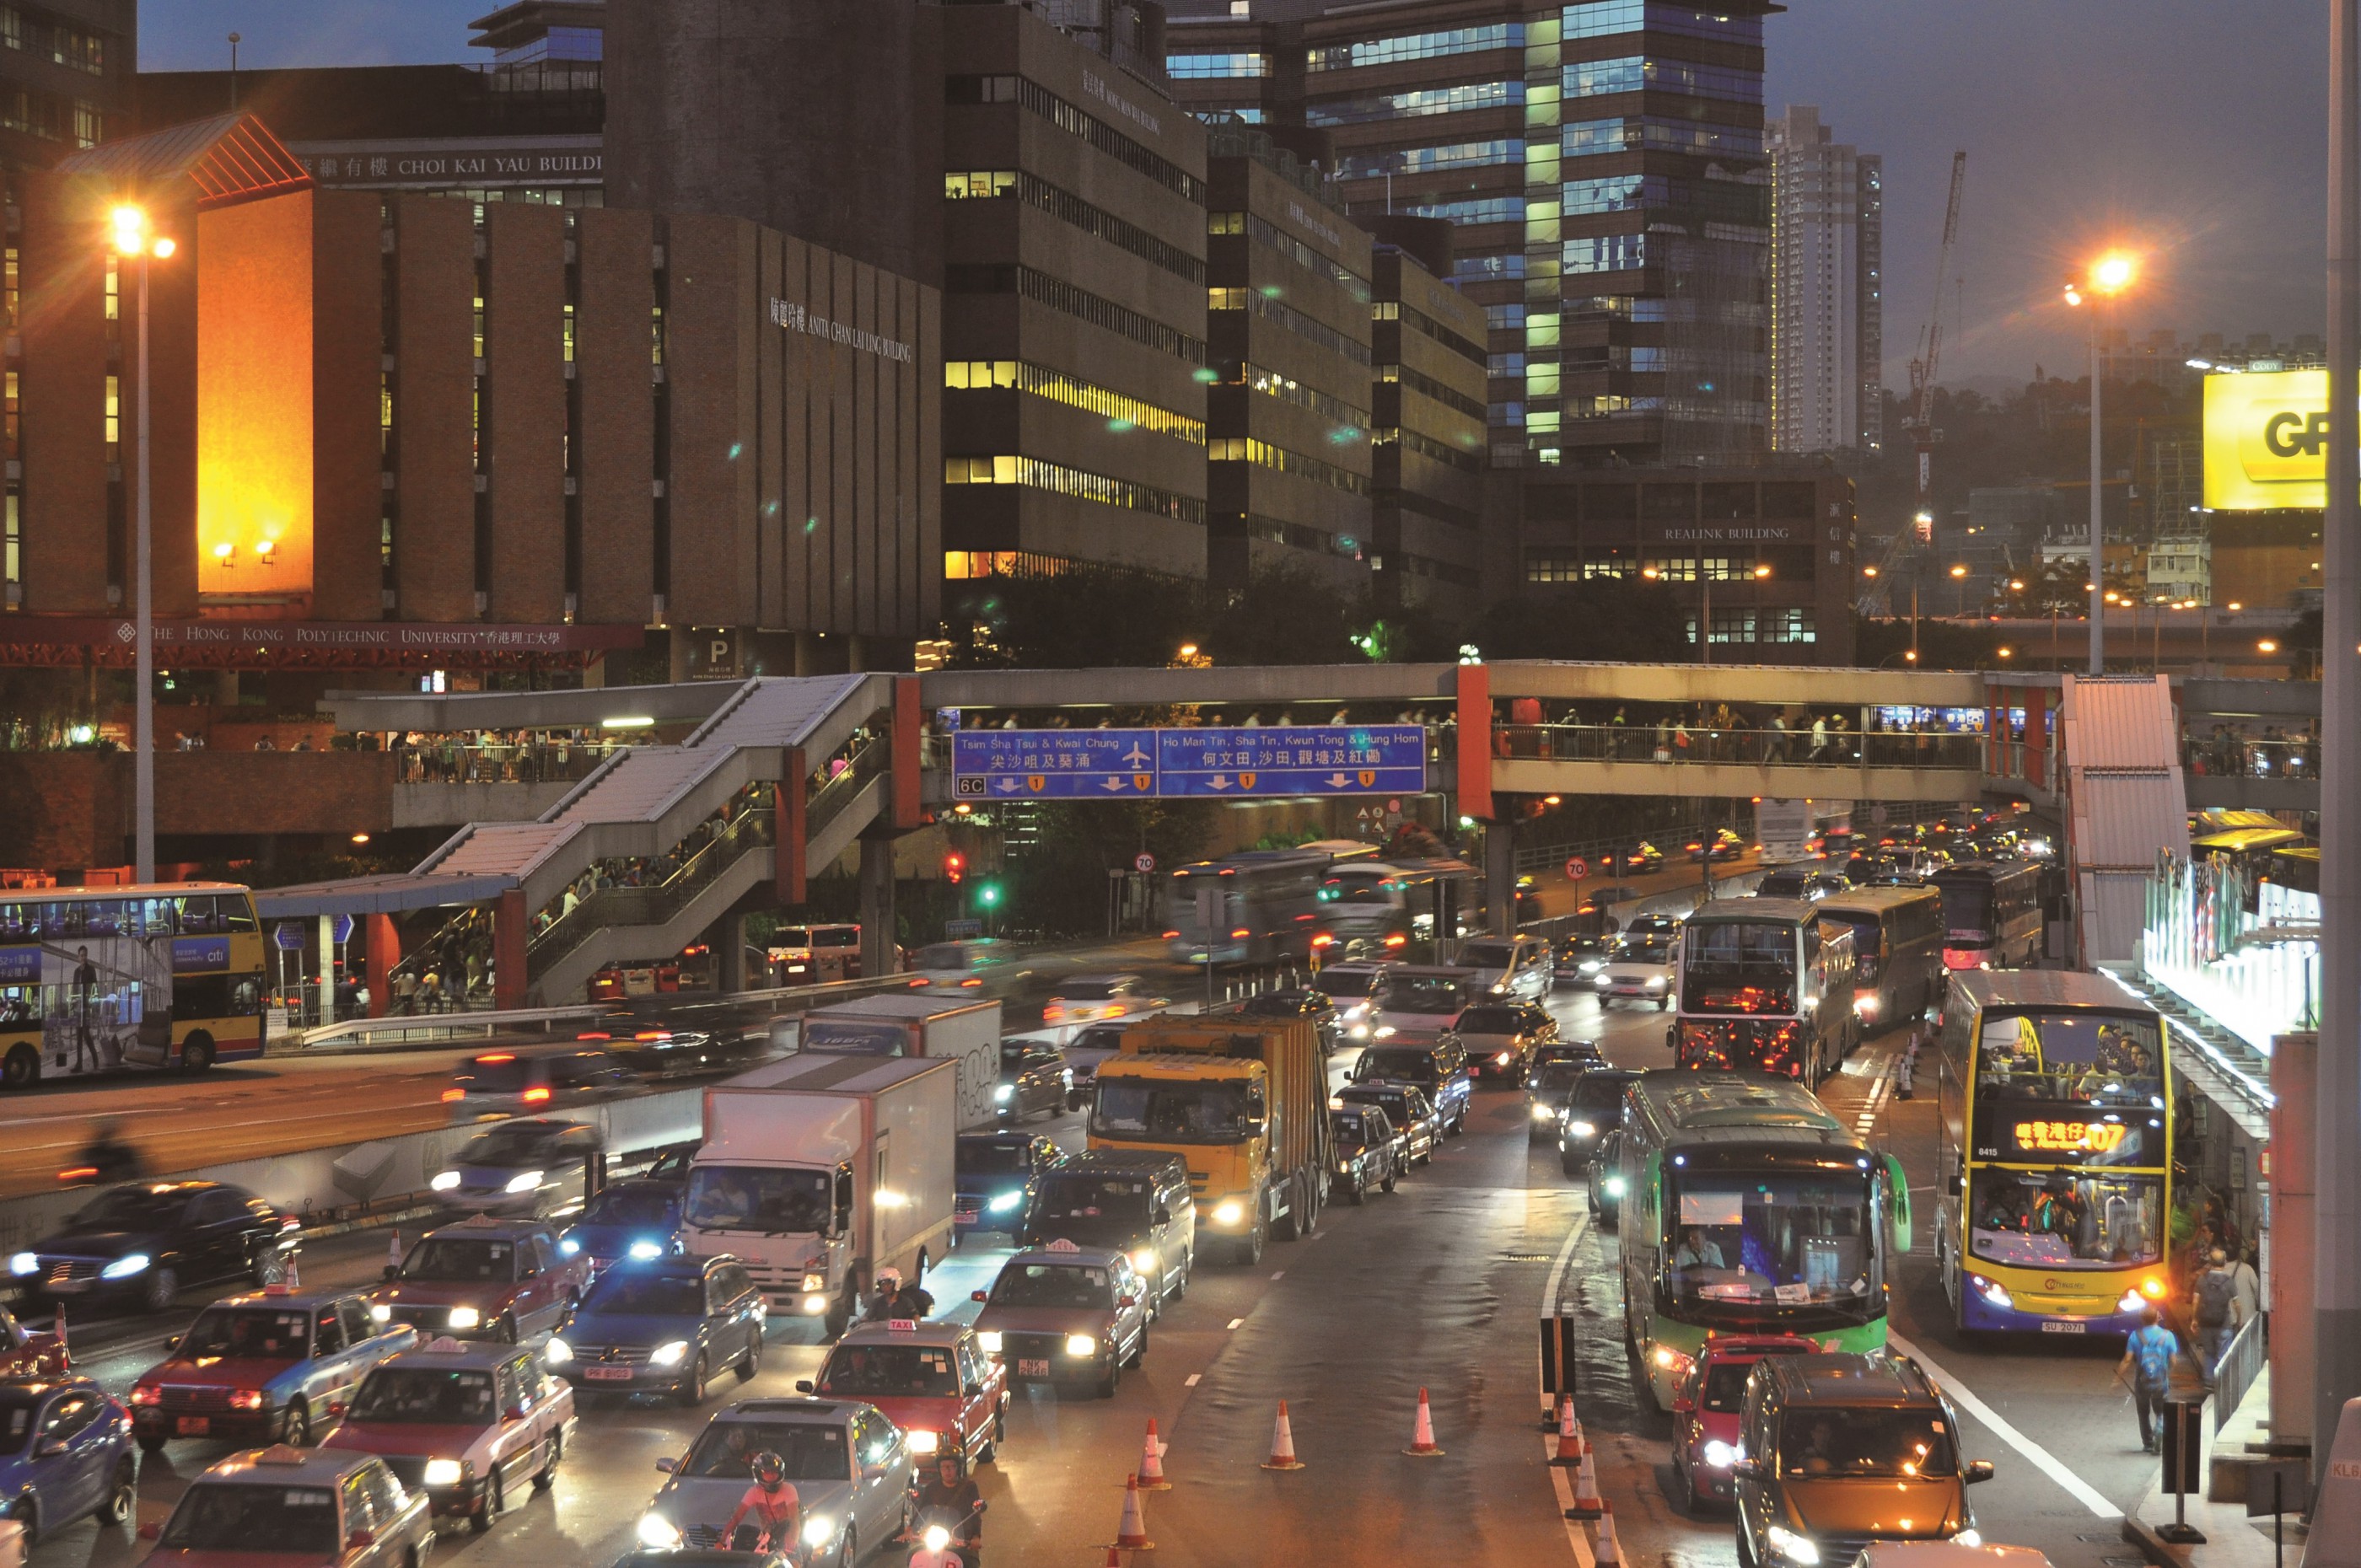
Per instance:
(823,1170)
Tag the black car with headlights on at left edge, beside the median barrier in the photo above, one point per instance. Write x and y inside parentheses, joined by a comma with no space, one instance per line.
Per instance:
(143,1243)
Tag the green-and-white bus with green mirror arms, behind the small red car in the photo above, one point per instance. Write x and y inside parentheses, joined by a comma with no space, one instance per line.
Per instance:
(1748,1208)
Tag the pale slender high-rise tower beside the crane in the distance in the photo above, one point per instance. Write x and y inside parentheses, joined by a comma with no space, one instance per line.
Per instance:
(1826,289)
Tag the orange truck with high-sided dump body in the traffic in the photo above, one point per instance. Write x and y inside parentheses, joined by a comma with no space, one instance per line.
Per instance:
(1243,1102)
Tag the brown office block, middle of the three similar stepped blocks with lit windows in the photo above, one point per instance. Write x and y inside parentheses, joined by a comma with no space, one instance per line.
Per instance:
(1288,412)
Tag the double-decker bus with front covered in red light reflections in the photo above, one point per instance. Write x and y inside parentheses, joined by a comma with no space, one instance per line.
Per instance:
(1762,986)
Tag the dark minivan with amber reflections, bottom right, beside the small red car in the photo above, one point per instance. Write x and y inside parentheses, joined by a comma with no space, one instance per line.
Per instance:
(1845,1451)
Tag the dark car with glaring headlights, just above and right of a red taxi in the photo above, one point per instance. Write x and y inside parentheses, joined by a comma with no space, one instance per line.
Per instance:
(1066,1314)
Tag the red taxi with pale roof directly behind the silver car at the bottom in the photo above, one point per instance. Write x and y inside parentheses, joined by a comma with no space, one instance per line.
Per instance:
(931,1380)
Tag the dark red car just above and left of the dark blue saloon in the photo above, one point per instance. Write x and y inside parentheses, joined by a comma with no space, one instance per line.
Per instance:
(483,1279)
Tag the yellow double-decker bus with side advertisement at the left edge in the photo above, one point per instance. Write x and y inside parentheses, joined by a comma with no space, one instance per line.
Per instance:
(110,979)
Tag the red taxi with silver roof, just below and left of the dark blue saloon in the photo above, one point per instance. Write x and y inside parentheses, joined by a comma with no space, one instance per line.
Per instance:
(469,1425)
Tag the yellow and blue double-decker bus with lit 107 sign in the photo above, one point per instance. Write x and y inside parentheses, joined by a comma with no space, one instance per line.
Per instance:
(2055,1154)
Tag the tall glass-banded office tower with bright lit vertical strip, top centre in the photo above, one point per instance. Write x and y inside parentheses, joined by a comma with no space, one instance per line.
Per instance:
(1604,164)
